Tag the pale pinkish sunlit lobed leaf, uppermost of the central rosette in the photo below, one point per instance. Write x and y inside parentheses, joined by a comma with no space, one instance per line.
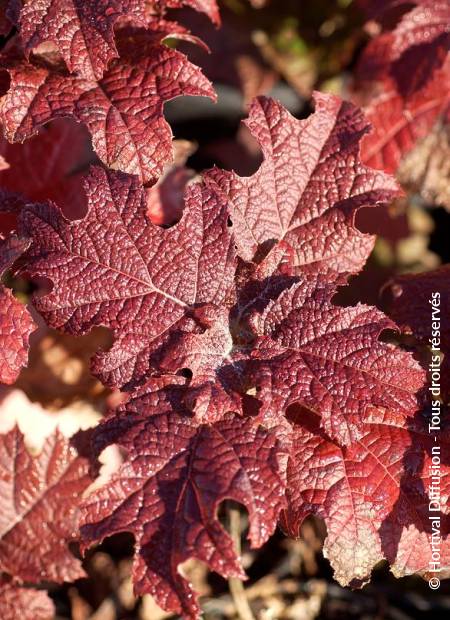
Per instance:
(310,183)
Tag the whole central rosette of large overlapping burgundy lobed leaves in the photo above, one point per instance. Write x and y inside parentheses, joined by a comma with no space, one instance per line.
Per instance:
(221,323)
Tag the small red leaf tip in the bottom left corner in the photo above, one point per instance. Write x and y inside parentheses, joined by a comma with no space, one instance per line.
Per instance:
(25,603)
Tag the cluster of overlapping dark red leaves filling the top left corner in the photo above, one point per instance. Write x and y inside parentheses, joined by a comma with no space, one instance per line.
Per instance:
(105,66)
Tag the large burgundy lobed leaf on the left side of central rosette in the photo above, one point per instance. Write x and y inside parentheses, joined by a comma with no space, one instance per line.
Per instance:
(144,281)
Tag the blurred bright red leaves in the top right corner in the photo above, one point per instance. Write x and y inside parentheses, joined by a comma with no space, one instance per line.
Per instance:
(403,77)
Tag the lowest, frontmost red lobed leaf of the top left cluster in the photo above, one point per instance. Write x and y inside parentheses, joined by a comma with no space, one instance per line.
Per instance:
(123,111)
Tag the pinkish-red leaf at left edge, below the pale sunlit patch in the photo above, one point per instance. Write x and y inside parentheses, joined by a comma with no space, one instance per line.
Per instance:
(39,517)
